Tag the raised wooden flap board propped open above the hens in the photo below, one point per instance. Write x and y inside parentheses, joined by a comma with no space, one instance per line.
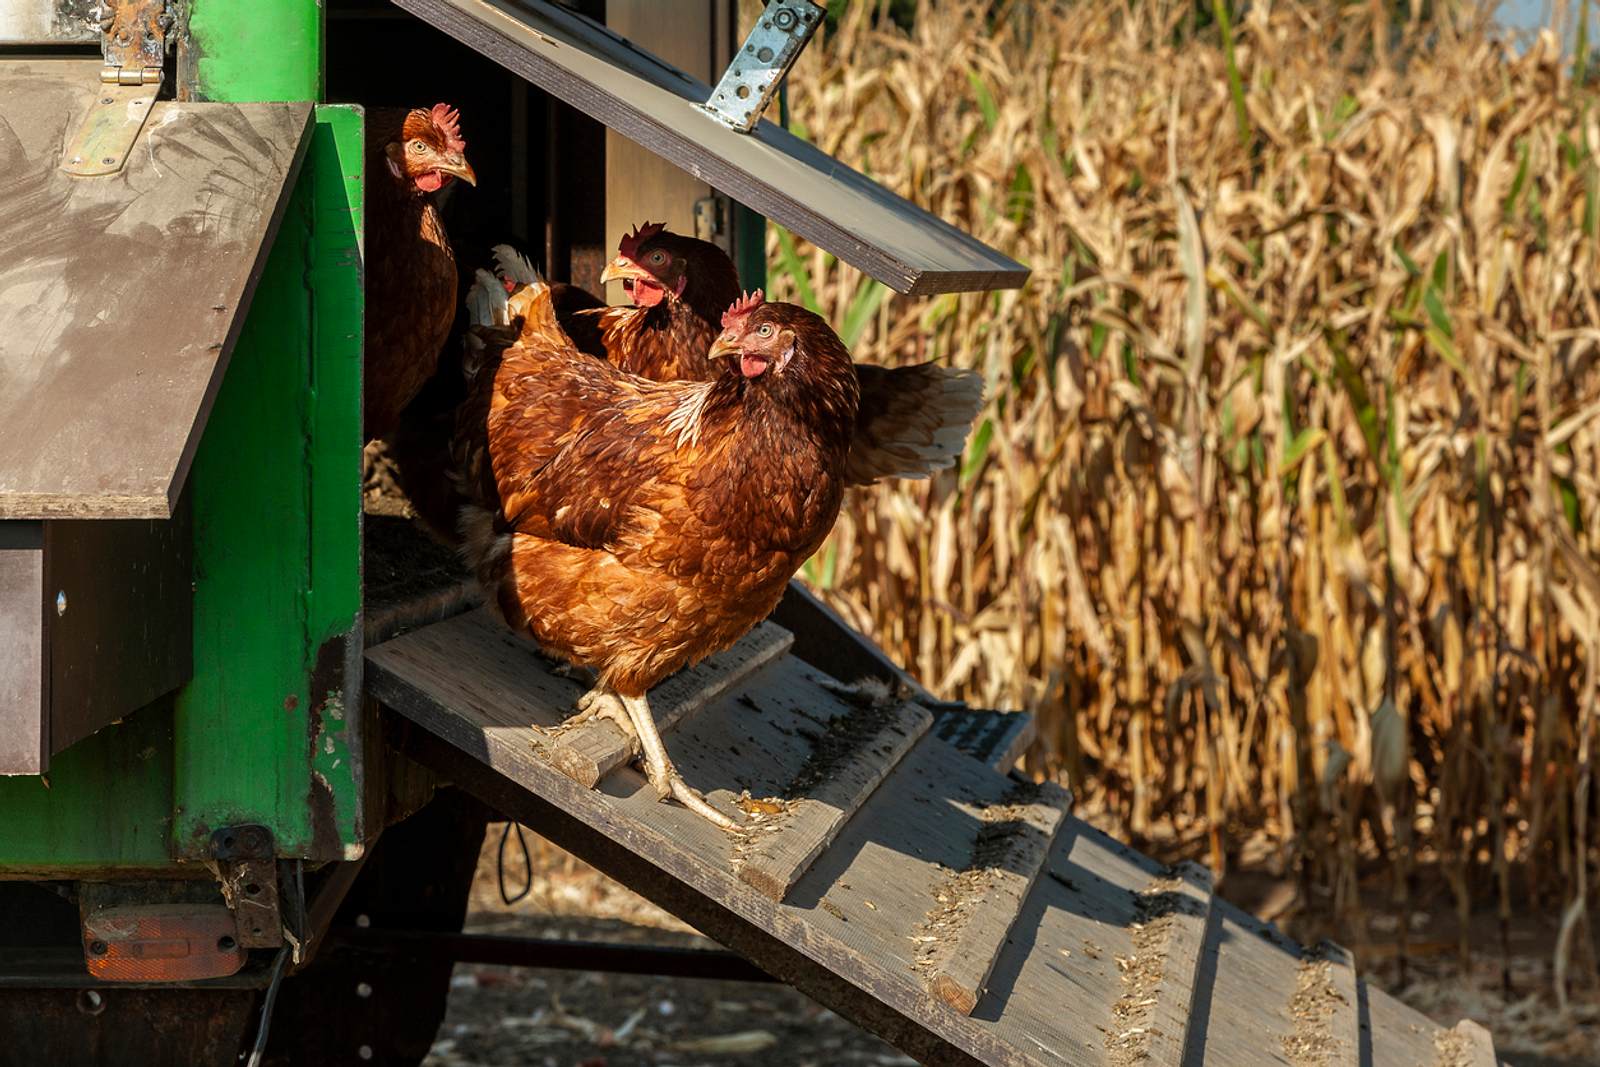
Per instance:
(769,169)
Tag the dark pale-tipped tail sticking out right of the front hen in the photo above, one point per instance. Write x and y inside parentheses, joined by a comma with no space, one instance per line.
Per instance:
(913,422)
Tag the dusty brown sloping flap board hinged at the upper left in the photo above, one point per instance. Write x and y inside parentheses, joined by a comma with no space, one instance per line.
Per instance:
(121,297)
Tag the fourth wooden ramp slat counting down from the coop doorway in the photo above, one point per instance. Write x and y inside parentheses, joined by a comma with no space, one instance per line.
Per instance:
(1154,1012)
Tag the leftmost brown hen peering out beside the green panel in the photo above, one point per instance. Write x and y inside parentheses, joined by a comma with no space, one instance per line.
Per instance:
(410,268)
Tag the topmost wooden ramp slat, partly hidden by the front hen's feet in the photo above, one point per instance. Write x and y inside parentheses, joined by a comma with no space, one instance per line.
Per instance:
(591,751)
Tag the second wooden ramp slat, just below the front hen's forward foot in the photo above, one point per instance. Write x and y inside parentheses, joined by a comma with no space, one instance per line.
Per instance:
(839,778)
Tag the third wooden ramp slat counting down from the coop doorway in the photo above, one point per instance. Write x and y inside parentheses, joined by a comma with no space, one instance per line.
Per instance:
(975,909)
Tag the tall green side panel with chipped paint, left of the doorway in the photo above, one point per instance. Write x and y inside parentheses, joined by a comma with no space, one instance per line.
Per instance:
(265,733)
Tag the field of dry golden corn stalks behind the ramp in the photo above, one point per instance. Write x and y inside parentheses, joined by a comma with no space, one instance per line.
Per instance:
(1284,513)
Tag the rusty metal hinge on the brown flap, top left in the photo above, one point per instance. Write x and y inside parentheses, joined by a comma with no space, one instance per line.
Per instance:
(134,46)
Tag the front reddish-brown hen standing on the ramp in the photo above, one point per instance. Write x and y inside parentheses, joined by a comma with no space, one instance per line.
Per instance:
(644,526)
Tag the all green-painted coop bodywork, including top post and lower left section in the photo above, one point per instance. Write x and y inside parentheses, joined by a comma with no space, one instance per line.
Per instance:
(266,732)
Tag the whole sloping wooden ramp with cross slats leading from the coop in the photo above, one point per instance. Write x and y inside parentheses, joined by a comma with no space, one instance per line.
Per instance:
(959,913)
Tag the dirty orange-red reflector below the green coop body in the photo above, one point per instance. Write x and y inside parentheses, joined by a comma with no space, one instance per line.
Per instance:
(162,943)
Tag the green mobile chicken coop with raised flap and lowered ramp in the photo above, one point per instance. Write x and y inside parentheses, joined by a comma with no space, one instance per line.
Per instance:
(241,785)
